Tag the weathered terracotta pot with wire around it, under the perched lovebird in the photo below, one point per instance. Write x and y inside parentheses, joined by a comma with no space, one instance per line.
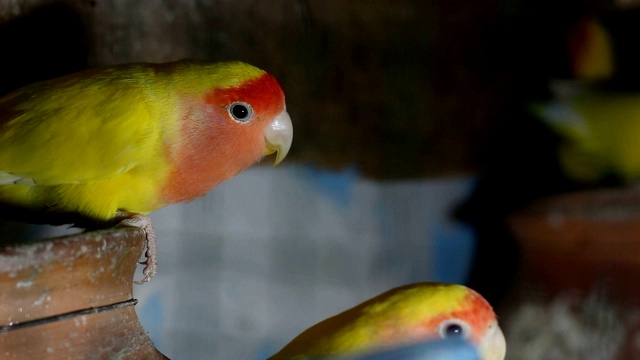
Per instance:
(72,298)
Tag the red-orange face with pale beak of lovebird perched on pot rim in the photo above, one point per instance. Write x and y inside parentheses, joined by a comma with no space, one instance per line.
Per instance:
(226,131)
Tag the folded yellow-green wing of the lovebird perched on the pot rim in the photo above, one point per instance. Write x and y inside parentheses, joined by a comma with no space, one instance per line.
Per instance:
(75,129)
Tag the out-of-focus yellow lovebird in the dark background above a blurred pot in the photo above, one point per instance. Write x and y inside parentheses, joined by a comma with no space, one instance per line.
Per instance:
(598,121)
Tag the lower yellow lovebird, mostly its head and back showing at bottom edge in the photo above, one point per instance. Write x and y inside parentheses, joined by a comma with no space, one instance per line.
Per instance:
(402,316)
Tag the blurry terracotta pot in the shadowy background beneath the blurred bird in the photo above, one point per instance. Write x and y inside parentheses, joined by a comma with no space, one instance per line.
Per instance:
(583,239)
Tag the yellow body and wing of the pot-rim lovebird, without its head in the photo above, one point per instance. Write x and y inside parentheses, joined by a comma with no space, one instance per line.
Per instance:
(80,138)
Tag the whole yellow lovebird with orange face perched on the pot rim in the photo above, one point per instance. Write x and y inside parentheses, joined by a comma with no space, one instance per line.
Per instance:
(110,145)
